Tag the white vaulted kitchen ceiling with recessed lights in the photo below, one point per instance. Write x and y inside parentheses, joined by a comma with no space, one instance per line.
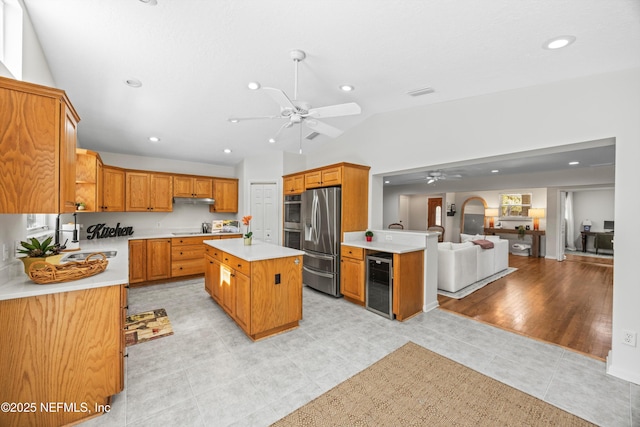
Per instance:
(194,59)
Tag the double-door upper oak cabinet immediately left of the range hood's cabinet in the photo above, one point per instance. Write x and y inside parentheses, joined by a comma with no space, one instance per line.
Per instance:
(148,192)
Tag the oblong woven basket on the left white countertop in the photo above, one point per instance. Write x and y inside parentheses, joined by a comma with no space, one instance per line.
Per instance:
(44,273)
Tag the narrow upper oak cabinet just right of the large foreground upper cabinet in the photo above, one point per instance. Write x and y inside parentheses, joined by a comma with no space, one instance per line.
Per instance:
(89,180)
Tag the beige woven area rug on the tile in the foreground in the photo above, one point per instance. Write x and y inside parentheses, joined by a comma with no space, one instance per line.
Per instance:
(415,387)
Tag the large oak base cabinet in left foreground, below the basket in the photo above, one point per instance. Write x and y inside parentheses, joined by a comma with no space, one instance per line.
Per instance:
(64,347)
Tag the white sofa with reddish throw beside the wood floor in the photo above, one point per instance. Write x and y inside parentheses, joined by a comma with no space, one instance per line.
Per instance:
(462,264)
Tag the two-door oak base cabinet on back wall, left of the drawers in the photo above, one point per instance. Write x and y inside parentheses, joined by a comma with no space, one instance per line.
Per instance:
(149,260)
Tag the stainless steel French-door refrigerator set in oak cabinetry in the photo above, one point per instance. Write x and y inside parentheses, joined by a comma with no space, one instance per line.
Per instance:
(321,266)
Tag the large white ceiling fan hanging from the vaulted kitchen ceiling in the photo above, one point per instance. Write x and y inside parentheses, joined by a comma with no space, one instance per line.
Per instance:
(296,112)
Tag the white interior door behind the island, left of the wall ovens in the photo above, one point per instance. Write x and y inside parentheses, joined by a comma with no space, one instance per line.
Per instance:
(264,210)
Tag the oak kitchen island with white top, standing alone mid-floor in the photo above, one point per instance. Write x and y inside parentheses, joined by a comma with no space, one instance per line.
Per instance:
(258,286)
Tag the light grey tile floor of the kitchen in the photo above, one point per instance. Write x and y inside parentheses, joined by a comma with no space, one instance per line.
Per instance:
(210,374)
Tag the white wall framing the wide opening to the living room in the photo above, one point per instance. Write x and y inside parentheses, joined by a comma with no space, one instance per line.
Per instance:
(572,111)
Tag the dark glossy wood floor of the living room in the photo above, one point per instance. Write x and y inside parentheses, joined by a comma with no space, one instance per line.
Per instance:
(567,303)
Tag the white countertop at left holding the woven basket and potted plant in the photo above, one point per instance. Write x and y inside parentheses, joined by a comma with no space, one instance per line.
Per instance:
(14,283)
